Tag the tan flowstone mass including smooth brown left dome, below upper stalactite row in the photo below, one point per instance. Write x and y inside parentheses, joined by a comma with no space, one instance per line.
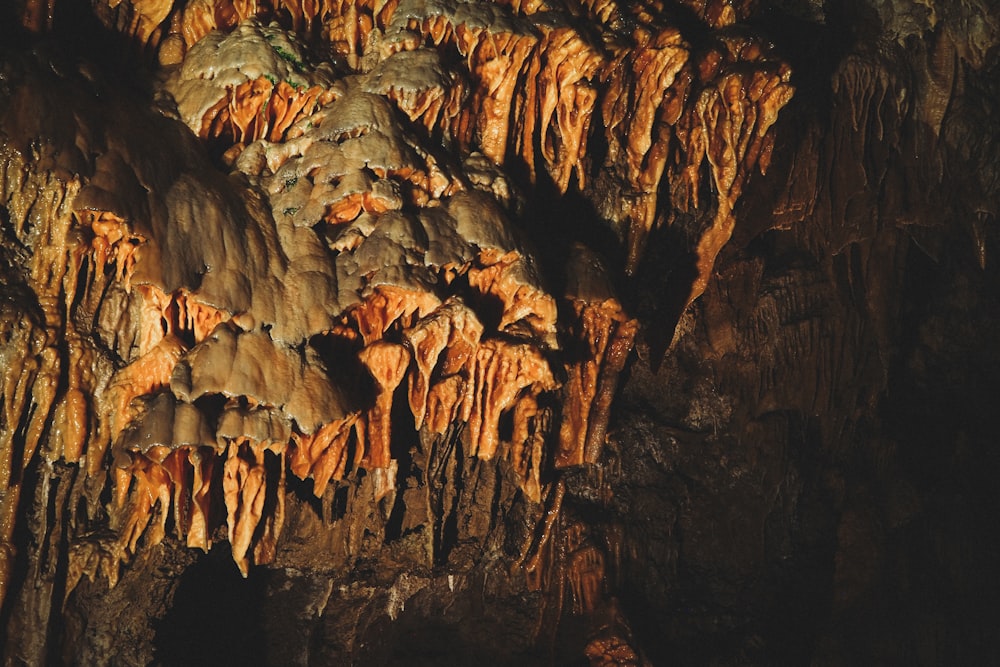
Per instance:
(407,250)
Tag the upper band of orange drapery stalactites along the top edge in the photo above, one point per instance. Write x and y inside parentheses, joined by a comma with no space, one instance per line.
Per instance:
(523,83)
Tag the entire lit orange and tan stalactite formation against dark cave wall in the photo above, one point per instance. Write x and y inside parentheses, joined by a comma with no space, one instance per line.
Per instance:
(345,243)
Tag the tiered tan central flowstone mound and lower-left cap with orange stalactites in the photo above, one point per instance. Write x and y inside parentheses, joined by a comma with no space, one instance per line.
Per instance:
(439,303)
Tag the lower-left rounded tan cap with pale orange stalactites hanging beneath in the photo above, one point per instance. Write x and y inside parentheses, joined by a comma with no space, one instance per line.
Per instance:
(172,437)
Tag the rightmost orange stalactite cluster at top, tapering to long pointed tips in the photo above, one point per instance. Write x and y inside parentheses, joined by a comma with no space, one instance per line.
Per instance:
(671,114)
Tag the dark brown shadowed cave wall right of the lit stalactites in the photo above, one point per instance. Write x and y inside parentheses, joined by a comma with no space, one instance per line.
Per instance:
(809,516)
